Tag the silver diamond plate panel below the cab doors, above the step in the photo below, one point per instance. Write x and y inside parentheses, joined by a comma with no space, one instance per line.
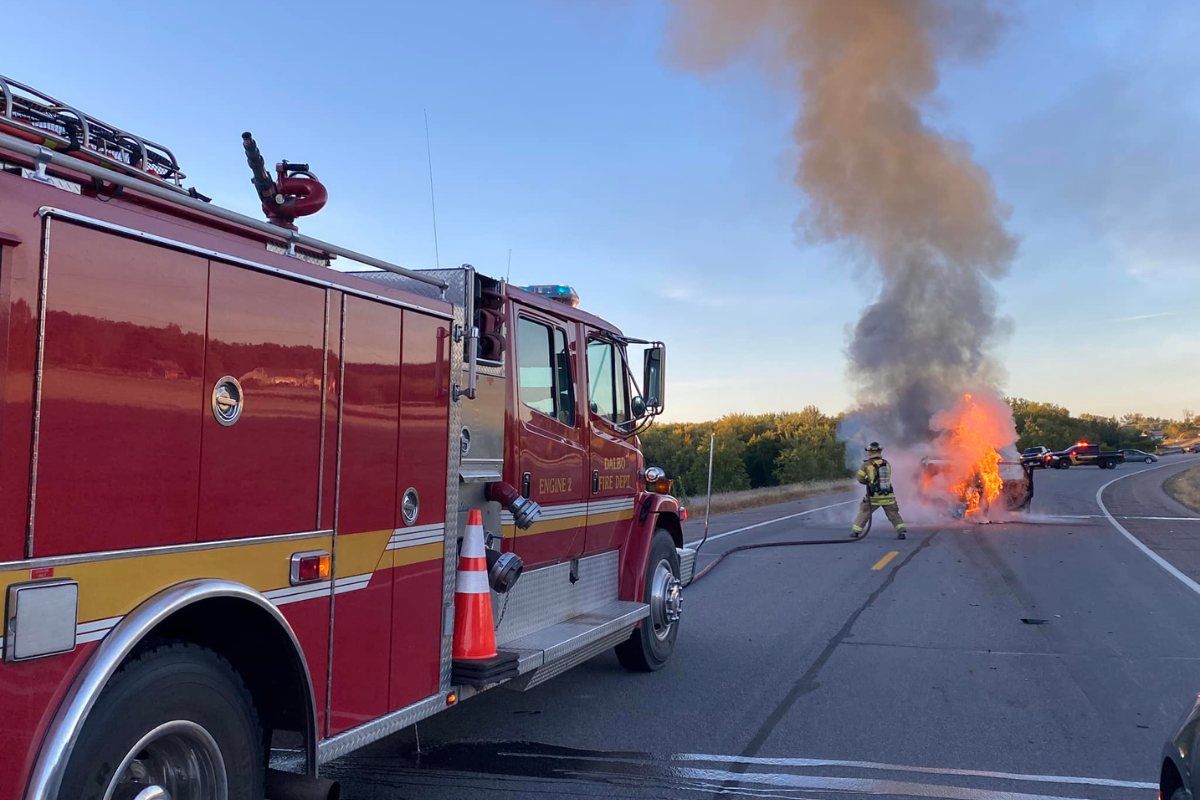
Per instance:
(547,597)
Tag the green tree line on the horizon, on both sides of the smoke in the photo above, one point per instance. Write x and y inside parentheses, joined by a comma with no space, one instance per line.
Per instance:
(758,450)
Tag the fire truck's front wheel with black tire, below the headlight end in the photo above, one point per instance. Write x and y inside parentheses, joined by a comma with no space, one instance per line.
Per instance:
(649,648)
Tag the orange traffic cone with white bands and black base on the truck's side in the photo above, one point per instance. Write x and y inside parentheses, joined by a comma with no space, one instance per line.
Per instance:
(476,660)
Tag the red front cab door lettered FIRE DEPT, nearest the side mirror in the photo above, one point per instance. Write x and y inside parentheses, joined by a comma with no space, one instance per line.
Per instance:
(615,460)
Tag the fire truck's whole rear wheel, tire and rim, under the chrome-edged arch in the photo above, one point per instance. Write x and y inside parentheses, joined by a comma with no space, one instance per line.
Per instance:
(178,718)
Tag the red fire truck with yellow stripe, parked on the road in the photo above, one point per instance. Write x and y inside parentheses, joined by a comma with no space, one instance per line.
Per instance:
(233,480)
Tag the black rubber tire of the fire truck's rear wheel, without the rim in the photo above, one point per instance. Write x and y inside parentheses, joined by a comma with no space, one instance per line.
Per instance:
(170,683)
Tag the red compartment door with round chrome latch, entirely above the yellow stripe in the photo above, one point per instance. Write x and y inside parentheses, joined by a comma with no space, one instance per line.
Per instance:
(260,474)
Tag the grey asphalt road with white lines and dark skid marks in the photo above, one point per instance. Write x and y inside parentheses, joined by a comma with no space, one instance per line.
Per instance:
(1043,659)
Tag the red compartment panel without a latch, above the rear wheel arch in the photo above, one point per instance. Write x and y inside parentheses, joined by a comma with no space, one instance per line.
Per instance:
(119,443)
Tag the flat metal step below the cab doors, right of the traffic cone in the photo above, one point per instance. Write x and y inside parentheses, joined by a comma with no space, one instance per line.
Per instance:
(557,648)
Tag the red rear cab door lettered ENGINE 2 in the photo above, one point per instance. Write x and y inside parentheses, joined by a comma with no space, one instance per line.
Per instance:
(551,449)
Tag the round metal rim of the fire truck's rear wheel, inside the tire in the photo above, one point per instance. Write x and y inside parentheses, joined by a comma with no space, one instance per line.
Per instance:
(177,761)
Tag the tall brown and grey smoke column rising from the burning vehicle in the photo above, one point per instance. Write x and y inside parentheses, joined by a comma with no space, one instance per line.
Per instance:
(908,200)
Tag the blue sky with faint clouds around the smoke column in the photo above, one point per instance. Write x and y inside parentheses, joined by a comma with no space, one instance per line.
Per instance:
(560,133)
